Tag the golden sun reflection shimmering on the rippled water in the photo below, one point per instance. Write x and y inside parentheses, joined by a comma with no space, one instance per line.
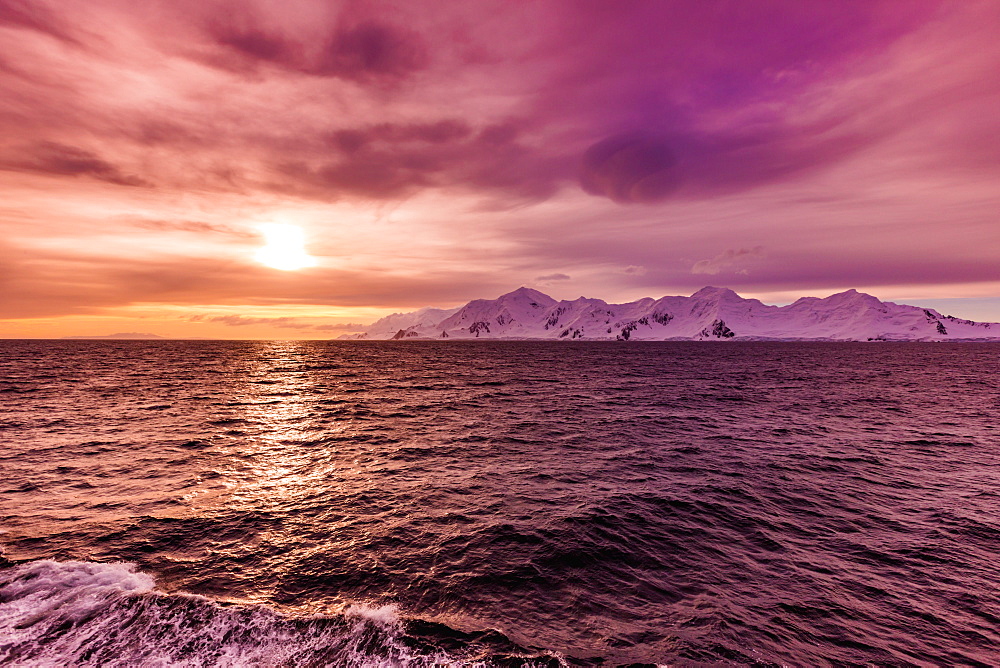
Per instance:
(280,463)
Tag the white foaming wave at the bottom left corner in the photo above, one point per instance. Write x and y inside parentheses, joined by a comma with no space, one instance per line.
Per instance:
(79,613)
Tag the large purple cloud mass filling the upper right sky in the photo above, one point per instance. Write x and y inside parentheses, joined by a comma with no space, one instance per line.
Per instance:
(690,99)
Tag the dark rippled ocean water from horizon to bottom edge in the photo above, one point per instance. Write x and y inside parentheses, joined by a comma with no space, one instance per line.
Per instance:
(484,503)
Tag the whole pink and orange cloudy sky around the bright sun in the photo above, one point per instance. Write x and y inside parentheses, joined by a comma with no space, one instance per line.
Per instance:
(433,153)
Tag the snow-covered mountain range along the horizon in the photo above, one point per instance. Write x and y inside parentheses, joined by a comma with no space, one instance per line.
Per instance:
(709,314)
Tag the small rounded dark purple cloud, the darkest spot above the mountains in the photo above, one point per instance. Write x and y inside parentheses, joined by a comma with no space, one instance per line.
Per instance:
(629,168)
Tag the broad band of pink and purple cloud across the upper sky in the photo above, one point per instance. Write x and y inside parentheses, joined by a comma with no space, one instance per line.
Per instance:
(636,117)
